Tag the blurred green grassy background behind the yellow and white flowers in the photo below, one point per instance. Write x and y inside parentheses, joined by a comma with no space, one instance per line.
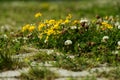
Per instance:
(16,13)
